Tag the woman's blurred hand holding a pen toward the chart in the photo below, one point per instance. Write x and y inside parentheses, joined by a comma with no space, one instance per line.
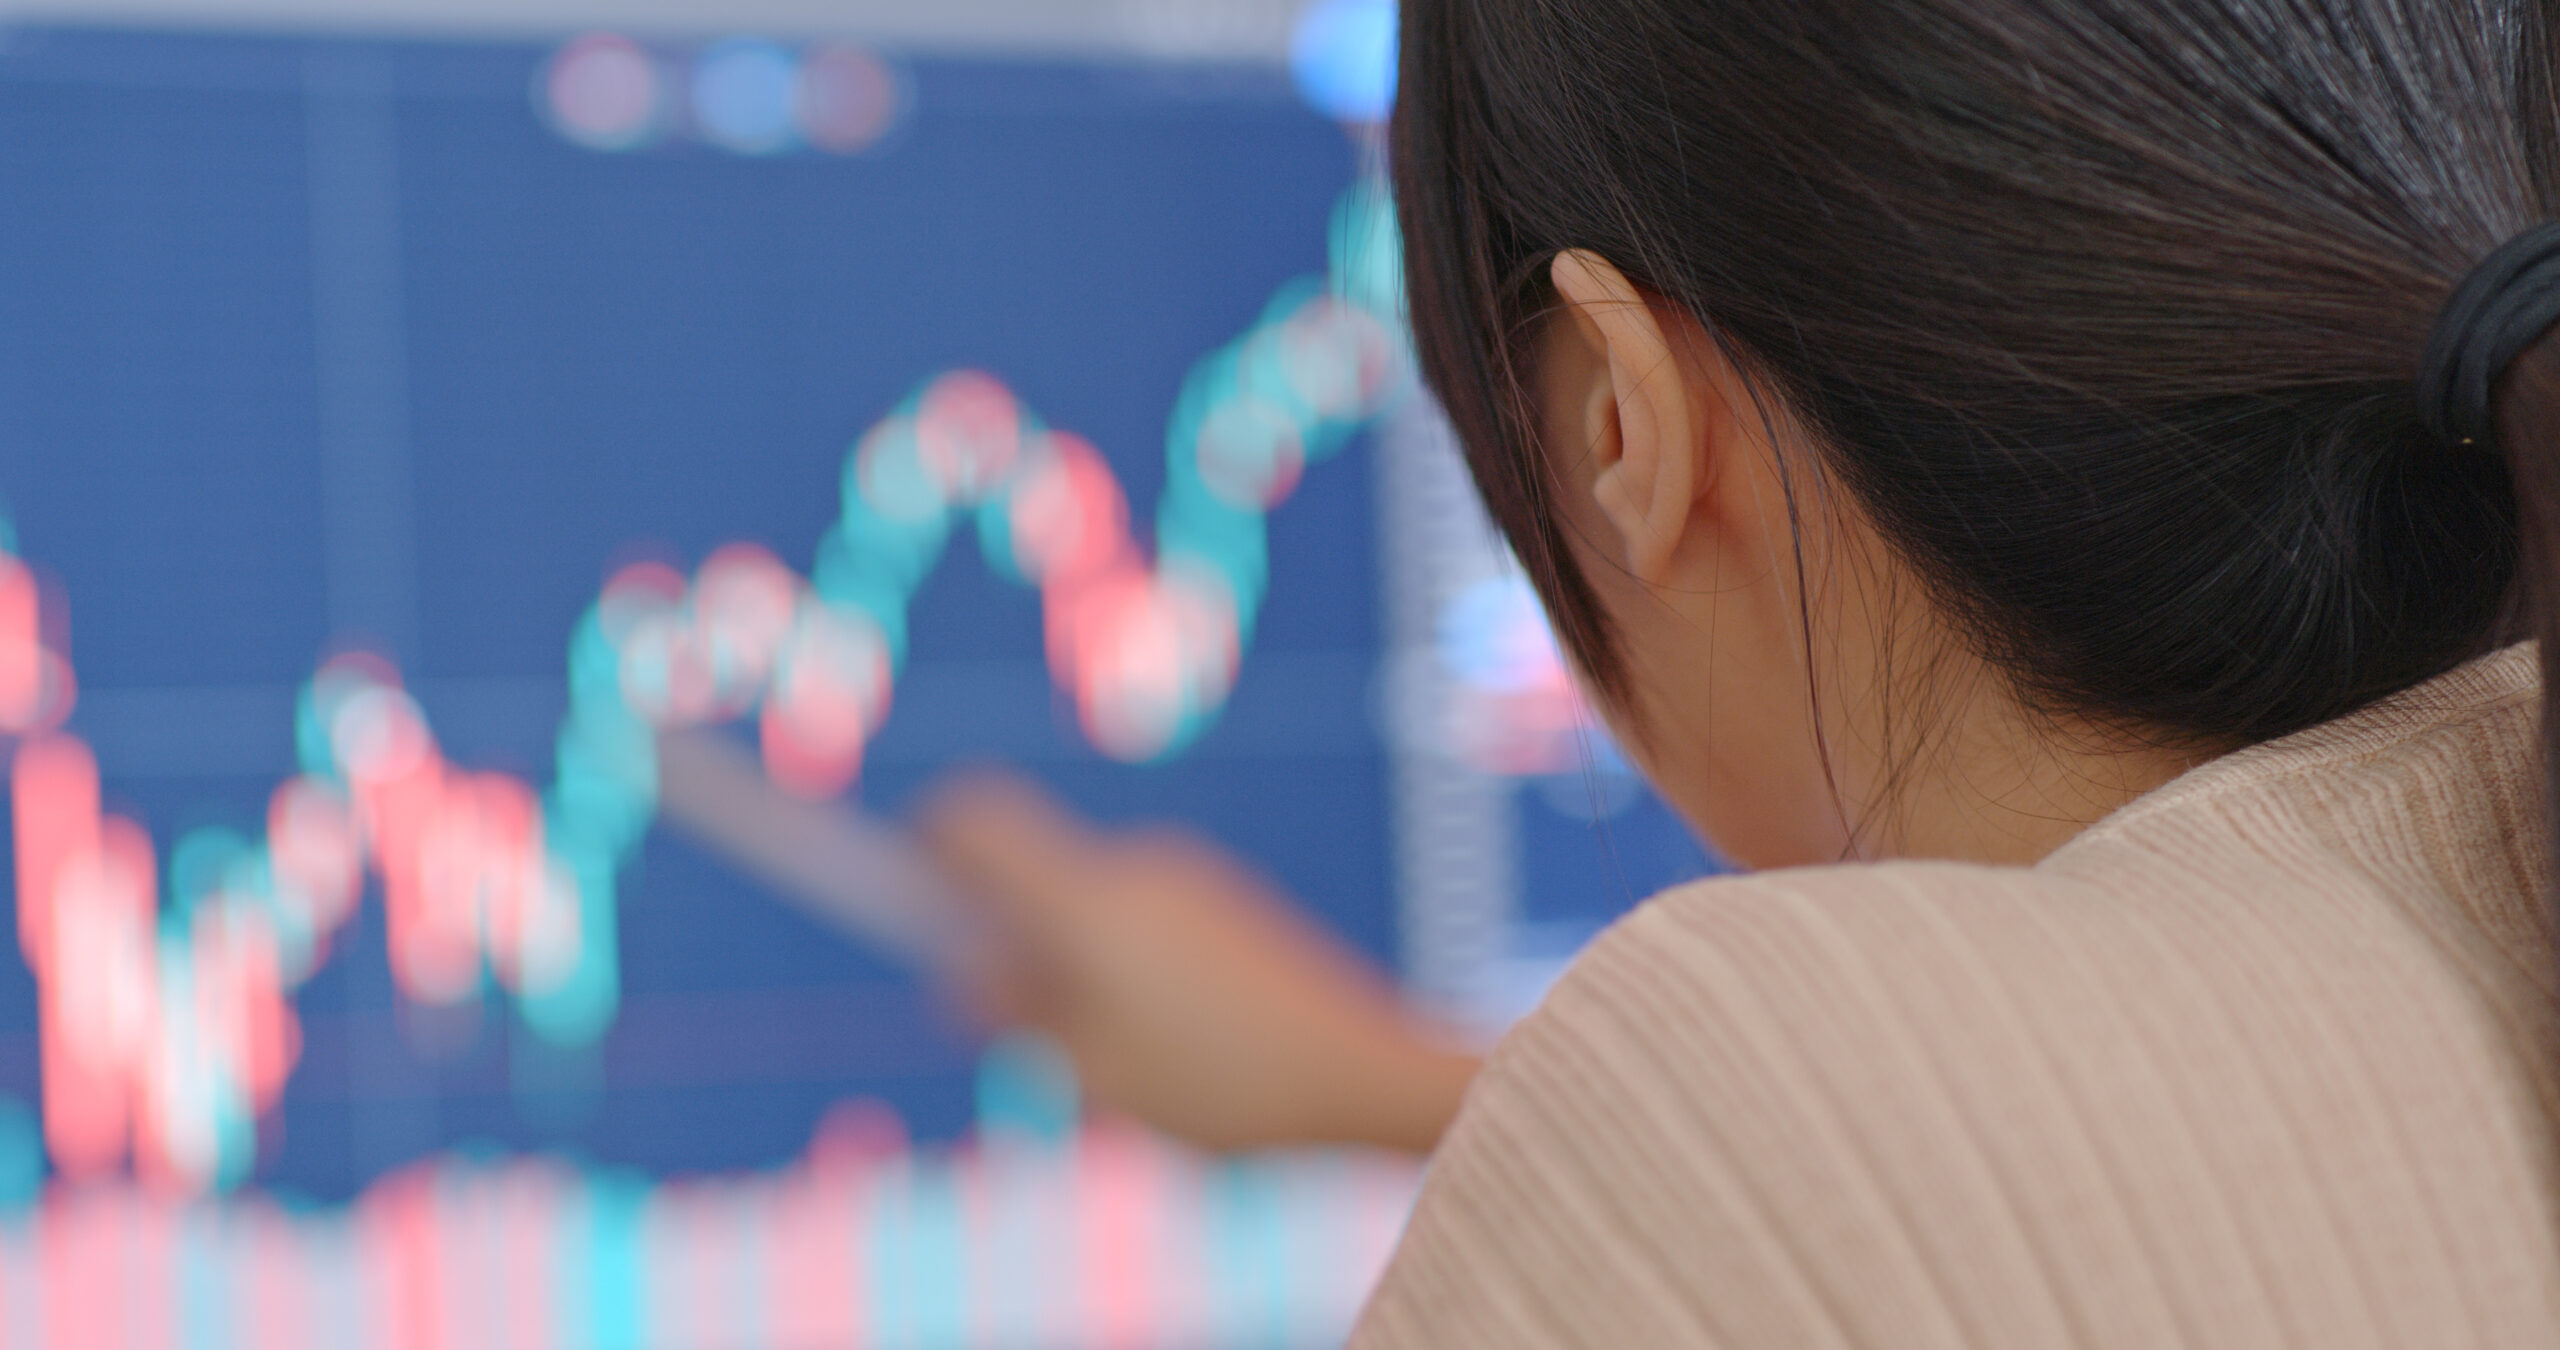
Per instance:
(1181,988)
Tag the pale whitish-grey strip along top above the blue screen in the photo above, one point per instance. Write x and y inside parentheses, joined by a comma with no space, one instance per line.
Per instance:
(1140,29)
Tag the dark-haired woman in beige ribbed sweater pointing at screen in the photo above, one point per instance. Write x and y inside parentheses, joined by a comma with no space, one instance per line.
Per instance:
(2062,488)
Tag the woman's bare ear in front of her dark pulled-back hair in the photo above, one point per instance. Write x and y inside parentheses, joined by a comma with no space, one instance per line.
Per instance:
(1637,414)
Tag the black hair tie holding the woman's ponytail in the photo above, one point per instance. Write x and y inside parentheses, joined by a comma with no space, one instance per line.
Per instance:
(2500,311)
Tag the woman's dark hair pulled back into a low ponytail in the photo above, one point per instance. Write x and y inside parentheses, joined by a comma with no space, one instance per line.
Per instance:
(2108,314)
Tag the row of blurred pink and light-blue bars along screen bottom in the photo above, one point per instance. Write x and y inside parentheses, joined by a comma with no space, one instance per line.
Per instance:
(1107,1241)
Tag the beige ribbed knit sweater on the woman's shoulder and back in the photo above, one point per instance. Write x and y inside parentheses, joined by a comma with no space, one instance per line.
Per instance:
(2241,1067)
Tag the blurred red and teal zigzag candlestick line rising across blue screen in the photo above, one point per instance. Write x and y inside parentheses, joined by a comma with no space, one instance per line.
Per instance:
(170,1031)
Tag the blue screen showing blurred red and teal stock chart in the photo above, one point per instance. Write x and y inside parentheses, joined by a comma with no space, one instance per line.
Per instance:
(393,434)
